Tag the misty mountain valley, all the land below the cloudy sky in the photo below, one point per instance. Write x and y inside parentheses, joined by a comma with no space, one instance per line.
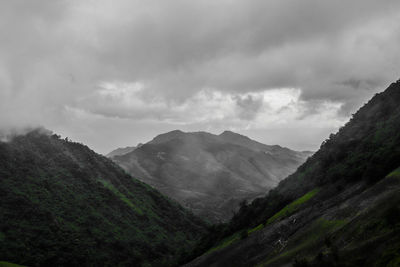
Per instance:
(199,199)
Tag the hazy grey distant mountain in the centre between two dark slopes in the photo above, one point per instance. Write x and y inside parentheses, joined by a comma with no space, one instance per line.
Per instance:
(210,174)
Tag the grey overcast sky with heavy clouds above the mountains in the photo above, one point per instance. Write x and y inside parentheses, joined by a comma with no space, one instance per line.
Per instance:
(114,73)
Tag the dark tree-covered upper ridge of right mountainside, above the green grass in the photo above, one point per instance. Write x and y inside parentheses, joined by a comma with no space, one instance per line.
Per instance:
(366,148)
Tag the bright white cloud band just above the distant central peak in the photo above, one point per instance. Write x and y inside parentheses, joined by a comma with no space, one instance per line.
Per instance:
(261,109)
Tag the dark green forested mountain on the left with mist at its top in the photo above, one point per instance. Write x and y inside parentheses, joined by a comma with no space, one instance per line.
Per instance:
(64,205)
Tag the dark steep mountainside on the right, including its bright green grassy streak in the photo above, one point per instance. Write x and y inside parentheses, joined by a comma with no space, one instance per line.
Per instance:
(340,208)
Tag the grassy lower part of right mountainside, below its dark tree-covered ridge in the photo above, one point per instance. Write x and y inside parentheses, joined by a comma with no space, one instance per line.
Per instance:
(354,228)
